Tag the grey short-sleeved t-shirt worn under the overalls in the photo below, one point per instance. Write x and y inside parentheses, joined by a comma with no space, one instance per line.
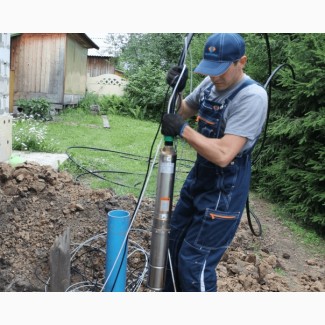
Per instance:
(245,114)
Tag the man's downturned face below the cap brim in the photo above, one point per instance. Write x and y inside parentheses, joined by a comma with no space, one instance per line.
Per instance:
(230,77)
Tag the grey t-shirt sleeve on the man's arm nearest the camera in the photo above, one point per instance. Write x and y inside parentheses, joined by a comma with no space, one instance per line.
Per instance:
(247,113)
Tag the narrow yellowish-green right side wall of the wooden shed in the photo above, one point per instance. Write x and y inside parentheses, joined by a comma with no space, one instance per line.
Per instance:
(76,72)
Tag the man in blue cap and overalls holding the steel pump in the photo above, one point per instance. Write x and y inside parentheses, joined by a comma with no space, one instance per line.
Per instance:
(231,110)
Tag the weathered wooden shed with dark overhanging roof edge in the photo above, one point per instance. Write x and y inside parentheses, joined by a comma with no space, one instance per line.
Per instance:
(49,65)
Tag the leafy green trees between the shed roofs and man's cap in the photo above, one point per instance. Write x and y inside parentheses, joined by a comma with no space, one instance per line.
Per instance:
(146,59)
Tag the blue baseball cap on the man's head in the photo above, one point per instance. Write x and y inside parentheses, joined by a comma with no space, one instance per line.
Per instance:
(220,51)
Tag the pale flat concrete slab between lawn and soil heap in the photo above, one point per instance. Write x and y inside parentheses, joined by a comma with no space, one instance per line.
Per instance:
(42,158)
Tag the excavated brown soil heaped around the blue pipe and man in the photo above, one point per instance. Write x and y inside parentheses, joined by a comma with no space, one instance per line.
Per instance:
(38,205)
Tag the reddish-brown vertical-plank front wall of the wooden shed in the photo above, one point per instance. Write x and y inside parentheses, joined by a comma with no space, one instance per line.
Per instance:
(38,62)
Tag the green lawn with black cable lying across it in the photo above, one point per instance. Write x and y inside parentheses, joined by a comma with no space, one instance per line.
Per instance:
(118,157)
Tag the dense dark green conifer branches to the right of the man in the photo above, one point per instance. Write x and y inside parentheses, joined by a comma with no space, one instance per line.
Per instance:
(291,166)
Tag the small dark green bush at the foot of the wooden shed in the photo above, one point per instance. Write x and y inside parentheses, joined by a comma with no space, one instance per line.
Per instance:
(37,108)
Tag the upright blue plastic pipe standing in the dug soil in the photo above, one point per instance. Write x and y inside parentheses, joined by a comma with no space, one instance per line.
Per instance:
(116,258)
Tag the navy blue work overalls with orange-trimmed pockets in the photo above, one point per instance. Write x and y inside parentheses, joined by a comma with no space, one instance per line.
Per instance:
(209,210)
